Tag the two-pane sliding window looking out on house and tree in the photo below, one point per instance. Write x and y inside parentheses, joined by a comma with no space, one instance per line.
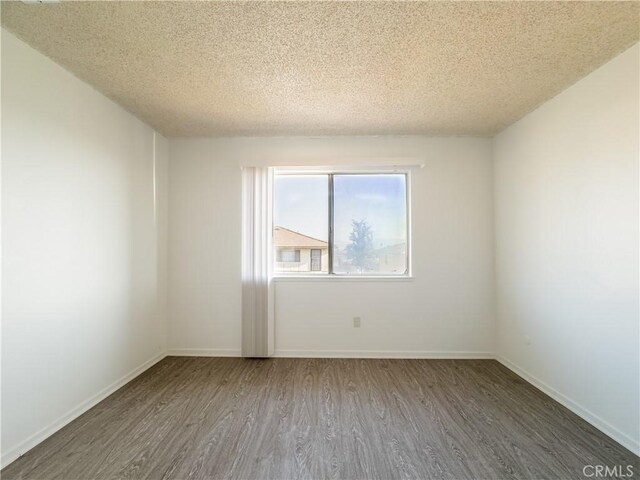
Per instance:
(341,223)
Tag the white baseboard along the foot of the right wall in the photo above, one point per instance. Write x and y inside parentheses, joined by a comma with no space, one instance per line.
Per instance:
(602,425)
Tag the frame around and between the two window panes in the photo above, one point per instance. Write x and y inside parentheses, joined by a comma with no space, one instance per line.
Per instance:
(407,274)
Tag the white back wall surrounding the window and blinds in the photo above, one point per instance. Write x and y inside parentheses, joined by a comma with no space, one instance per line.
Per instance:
(447,309)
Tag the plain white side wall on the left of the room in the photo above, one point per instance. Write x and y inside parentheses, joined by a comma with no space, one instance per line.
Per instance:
(83,273)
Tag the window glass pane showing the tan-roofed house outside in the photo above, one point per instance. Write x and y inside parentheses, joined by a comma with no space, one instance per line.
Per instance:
(301,223)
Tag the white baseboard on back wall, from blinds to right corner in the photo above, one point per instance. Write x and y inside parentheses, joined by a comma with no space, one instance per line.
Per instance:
(408,354)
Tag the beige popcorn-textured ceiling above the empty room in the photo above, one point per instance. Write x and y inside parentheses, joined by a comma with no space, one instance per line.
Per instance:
(218,68)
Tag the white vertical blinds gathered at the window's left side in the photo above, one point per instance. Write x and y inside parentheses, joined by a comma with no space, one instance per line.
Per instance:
(257,286)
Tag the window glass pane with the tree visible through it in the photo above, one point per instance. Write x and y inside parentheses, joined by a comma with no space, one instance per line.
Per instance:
(370,224)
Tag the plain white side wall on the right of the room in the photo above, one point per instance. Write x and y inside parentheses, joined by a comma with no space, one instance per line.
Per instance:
(567,246)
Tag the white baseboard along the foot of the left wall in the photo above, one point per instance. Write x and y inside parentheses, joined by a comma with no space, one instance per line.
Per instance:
(38,437)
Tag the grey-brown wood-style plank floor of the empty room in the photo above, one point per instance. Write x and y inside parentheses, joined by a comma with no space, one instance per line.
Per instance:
(207,418)
